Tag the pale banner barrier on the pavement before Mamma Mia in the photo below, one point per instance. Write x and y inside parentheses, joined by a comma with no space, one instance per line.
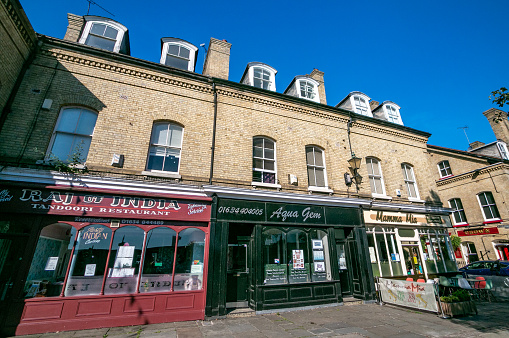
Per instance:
(410,294)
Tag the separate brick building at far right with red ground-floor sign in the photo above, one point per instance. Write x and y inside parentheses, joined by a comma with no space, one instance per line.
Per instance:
(474,184)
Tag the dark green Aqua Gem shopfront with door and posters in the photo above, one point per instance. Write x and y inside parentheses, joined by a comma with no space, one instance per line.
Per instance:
(271,255)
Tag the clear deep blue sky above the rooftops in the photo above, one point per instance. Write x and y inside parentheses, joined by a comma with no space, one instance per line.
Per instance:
(438,60)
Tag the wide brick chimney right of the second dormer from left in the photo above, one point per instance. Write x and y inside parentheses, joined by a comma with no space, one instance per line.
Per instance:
(217,62)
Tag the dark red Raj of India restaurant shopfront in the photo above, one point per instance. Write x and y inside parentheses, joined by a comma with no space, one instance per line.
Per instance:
(87,259)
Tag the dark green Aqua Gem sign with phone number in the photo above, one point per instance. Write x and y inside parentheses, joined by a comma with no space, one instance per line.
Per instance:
(239,210)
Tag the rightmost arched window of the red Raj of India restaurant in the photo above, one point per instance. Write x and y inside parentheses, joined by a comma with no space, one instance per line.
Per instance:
(189,263)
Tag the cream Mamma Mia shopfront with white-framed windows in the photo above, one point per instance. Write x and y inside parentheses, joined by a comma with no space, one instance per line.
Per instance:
(408,244)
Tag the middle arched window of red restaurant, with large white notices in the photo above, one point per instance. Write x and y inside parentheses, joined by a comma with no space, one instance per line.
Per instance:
(124,262)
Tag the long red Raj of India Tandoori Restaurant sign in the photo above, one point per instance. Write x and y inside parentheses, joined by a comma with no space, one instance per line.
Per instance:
(77,203)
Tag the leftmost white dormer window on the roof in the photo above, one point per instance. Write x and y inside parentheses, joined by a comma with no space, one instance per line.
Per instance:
(104,34)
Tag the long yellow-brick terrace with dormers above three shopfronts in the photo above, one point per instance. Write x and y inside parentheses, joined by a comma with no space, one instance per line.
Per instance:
(140,192)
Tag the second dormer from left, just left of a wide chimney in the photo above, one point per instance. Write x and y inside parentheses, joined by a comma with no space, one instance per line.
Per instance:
(178,53)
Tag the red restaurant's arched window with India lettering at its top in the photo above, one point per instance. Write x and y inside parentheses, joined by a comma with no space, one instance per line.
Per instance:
(89,261)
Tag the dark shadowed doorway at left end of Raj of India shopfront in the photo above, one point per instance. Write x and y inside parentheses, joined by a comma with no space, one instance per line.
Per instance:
(12,249)
